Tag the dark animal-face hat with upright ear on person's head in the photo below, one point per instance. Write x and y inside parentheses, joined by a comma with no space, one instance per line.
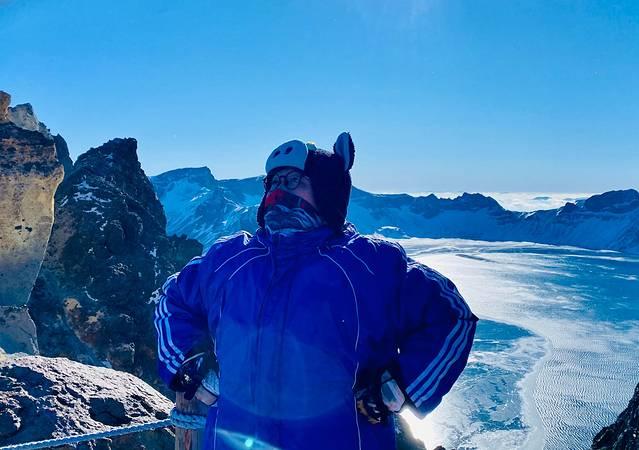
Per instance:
(329,173)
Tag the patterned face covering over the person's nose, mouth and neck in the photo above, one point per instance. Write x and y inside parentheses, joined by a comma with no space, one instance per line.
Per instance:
(285,213)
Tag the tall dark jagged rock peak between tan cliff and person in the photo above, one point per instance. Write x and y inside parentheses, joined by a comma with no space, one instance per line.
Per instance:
(107,253)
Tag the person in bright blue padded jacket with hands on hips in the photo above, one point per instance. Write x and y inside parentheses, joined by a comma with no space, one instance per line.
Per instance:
(319,333)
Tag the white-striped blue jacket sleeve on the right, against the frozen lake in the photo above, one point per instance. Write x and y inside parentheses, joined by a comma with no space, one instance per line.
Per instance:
(436,330)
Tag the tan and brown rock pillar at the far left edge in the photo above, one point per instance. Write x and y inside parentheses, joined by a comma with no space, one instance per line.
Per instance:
(30,173)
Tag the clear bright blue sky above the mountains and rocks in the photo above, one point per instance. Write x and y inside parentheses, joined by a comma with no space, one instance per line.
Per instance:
(439,95)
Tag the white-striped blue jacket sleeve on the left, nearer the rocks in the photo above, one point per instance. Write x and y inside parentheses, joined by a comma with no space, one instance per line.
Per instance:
(180,318)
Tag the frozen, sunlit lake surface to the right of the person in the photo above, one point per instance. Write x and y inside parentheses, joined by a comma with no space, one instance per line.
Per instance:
(556,349)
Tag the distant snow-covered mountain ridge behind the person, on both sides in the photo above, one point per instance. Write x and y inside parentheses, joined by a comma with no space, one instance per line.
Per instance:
(204,208)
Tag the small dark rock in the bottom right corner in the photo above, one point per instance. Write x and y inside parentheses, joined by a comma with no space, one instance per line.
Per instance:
(624,433)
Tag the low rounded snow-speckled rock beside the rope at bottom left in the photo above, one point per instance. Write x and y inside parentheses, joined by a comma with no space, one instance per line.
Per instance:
(44,398)
